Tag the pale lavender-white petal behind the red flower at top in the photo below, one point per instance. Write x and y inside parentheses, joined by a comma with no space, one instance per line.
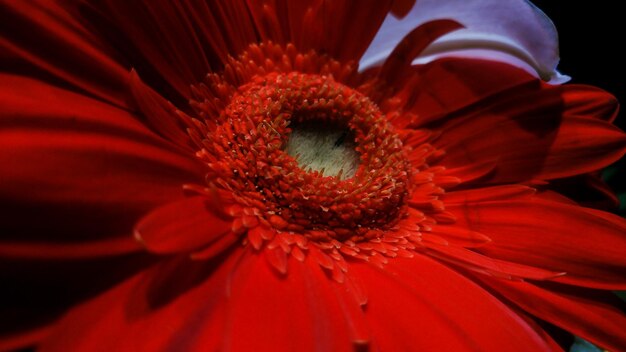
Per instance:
(515,28)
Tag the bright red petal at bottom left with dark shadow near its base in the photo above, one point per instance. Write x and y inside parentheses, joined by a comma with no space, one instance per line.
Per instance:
(177,305)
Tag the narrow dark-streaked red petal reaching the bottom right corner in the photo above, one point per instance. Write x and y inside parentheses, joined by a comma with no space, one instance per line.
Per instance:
(583,313)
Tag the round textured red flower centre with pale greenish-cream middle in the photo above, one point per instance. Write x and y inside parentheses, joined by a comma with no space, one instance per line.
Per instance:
(308,154)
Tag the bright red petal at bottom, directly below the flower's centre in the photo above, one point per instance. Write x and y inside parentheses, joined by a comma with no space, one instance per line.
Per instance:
(299,311)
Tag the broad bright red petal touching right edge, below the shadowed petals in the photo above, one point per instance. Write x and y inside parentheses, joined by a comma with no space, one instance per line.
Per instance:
(588,245)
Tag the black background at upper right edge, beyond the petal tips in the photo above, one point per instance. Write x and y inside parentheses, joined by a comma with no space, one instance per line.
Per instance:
(591,38)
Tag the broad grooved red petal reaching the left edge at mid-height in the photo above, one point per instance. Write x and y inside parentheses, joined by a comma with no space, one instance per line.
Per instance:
(70,161)
